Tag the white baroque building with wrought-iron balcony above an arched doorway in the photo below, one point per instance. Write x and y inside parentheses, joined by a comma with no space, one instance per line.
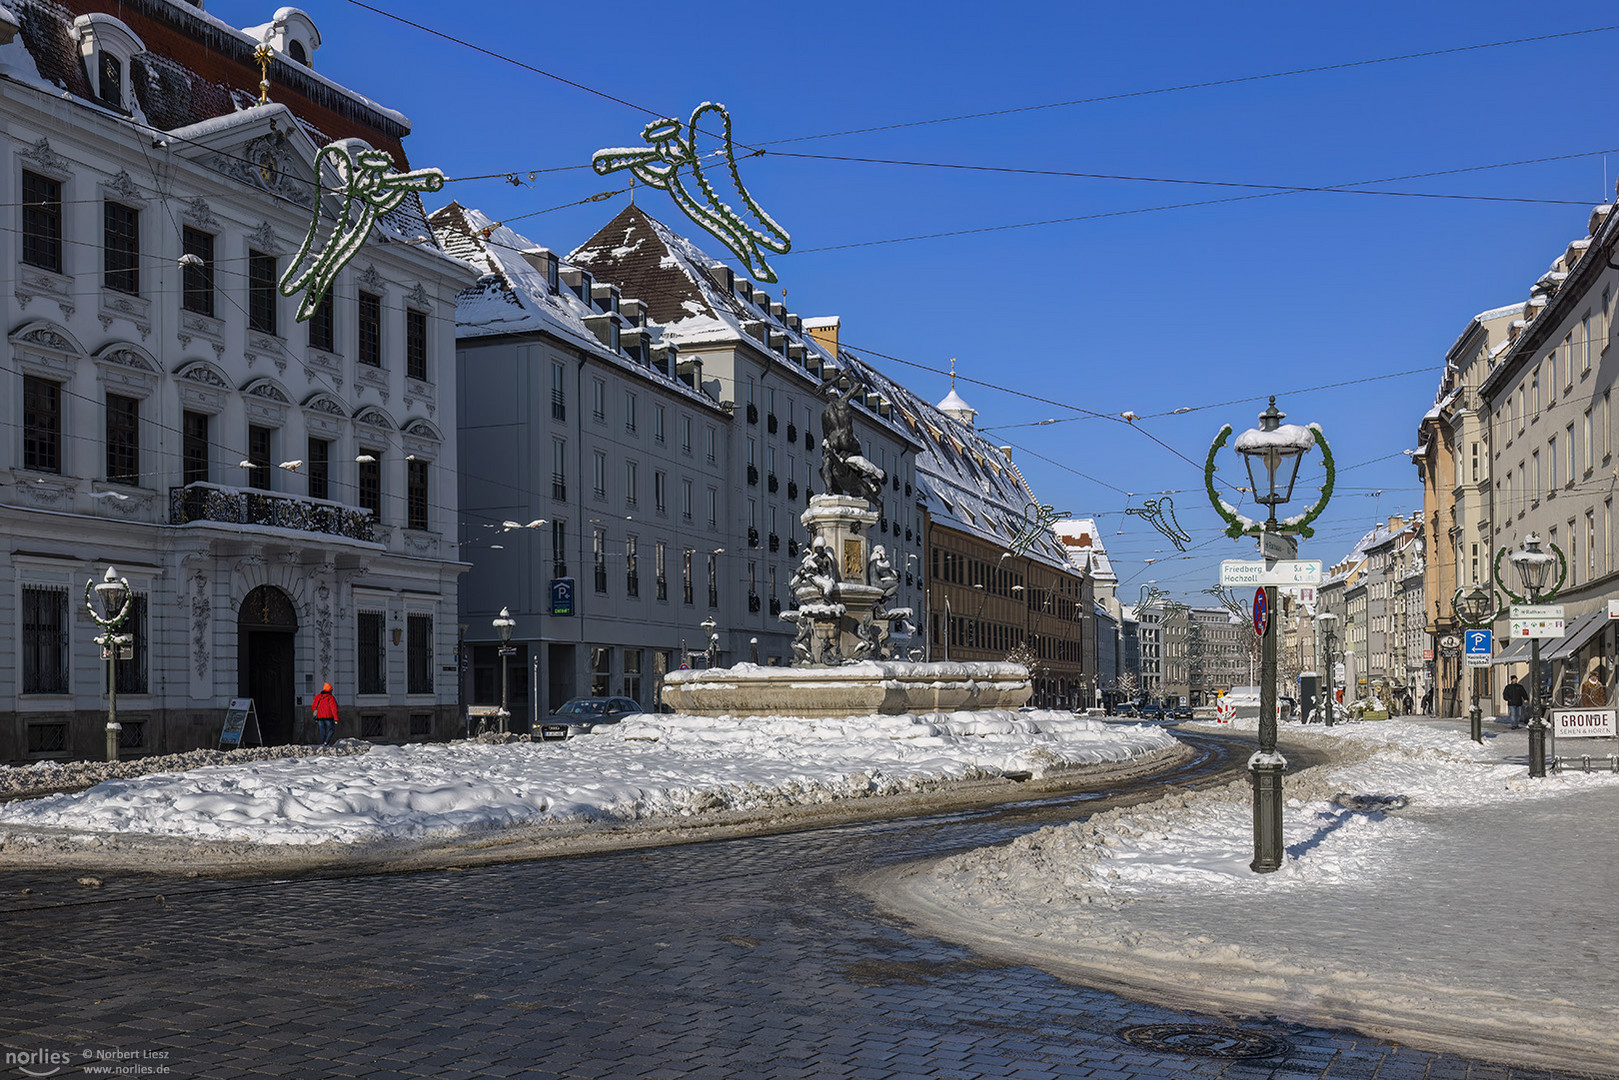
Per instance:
(279,495)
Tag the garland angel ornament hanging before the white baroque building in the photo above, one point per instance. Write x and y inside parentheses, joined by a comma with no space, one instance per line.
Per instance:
(368,189)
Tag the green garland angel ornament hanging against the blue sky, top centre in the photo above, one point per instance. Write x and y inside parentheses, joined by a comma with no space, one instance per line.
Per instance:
(673,163)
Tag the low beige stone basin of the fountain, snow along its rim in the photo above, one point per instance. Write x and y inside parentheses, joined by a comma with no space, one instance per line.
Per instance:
(888,687)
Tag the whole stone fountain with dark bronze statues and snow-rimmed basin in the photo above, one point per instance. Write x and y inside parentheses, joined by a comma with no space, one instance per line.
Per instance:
(844,660)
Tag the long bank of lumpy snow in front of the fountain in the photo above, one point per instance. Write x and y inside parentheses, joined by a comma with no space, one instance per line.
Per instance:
(642,768)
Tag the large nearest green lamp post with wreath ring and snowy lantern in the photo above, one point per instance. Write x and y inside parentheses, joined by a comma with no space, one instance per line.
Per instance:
(1272,453)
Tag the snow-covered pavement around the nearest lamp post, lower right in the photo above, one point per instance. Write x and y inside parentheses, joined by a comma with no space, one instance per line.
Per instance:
(1429,888)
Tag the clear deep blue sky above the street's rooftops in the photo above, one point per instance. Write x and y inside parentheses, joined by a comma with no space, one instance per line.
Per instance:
(1205,308)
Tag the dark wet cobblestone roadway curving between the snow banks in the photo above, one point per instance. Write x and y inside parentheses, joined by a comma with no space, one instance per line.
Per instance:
(734,959)
